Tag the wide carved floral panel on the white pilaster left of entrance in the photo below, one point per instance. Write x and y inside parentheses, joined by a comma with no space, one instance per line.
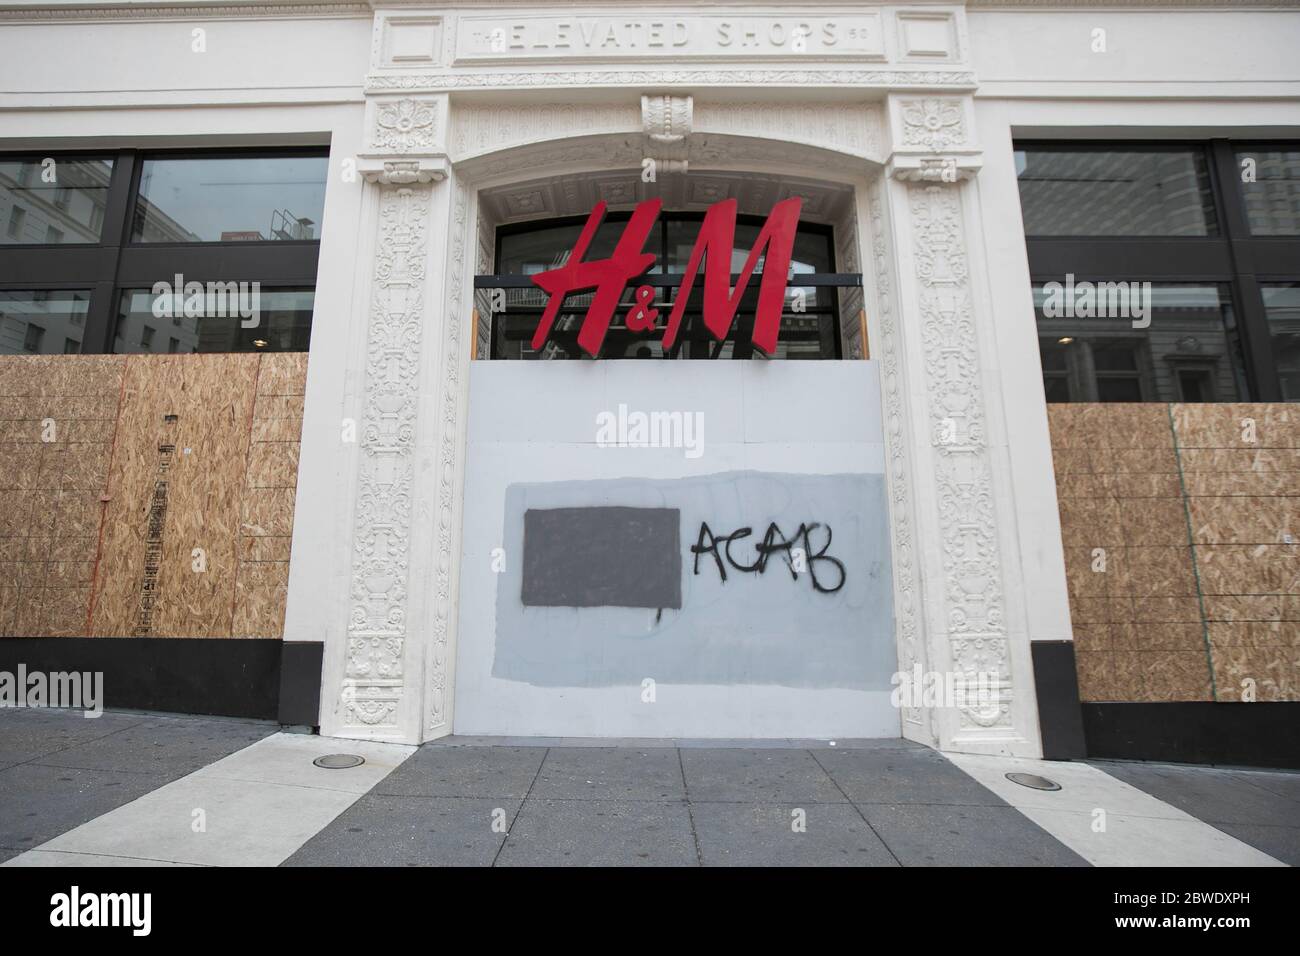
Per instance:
(378,626)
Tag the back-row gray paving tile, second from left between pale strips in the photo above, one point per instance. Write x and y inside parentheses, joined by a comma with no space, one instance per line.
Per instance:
(610,775)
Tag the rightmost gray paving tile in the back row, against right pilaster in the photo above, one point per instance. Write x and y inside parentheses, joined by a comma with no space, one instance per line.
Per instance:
(905,777)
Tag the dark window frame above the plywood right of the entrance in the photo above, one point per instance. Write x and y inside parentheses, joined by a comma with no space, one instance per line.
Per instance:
(1234,256)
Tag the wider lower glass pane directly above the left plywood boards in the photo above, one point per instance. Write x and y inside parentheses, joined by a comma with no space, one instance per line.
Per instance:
(220,321)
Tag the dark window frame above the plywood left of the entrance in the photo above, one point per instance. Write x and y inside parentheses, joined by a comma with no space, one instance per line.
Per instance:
(115,265)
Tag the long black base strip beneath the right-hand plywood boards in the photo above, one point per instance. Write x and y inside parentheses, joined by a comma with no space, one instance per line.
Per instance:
(1249,736)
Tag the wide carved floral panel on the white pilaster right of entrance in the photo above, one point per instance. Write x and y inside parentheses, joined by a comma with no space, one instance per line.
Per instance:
(972,560)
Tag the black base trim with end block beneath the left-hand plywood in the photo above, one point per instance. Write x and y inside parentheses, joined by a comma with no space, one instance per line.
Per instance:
(189,676)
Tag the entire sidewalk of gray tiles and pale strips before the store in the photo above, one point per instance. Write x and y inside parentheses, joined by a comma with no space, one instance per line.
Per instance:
(133,790)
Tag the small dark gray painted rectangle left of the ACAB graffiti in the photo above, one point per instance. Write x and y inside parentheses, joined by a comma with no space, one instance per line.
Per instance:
(603,557)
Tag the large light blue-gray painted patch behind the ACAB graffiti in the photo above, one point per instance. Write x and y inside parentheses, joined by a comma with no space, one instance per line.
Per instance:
(772,628)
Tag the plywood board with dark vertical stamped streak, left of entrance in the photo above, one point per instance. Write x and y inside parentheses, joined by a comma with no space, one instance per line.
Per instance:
(175,487)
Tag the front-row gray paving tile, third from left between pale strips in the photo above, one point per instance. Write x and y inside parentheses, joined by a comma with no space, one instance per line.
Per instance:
(764,836)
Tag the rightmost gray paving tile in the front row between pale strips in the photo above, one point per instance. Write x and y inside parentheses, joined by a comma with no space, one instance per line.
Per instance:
(929,836)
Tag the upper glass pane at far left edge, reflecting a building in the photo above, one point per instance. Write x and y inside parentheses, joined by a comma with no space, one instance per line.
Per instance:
(54,201)
